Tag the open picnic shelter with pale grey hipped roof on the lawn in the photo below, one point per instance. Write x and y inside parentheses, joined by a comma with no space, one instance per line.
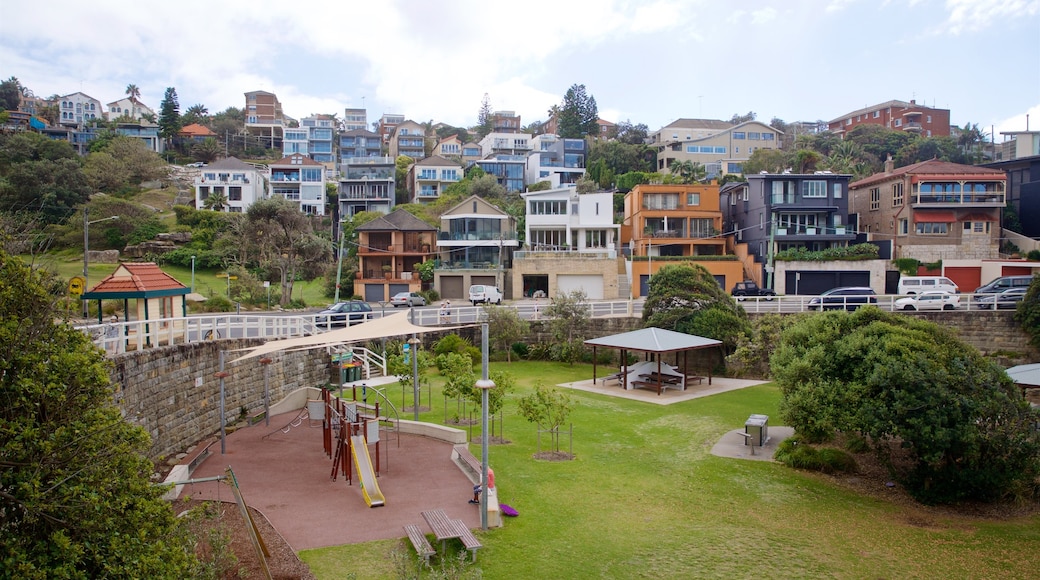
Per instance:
(654,342)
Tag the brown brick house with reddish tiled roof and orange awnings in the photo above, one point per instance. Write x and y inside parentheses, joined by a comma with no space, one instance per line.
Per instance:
(933,210)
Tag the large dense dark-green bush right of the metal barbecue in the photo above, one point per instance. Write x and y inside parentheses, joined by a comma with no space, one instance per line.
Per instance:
(949,424)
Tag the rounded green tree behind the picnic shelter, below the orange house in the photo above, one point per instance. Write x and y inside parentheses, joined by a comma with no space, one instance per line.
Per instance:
(686,299)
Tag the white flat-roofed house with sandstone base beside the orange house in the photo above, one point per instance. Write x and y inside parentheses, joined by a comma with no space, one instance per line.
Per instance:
(571,245)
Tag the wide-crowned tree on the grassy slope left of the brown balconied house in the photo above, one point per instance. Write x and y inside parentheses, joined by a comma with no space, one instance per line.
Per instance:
(284,241)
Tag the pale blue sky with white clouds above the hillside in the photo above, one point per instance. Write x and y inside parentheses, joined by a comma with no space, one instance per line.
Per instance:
(649,62)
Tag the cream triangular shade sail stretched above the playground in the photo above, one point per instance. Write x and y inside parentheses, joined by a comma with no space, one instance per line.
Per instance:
(394,326)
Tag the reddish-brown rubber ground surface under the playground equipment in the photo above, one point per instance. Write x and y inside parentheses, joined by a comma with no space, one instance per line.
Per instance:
(287,477)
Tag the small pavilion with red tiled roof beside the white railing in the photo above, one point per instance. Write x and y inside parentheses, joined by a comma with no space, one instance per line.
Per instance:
(154,291)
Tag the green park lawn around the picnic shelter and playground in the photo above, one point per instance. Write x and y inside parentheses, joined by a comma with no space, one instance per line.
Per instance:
(645,498)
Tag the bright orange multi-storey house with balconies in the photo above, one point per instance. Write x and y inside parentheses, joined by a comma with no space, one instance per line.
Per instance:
(665,225)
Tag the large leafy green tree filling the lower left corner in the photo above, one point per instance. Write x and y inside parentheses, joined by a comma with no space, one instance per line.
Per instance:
(75,490)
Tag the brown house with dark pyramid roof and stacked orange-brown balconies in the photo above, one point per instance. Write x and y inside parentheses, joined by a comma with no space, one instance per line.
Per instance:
(391,249)
